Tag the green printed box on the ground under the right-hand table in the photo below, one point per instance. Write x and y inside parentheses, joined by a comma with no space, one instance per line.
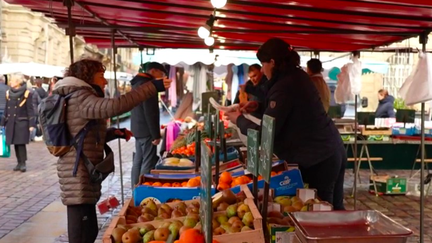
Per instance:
(389,185)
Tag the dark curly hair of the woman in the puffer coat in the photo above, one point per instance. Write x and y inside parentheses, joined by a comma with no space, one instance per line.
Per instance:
(85,70)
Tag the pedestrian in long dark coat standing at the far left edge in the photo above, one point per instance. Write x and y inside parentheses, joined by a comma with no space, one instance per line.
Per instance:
(18,119)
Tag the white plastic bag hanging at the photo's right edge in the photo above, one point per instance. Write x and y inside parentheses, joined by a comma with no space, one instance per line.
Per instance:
(418,86)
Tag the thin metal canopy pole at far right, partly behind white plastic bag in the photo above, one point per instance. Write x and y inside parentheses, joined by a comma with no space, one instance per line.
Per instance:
(423,41)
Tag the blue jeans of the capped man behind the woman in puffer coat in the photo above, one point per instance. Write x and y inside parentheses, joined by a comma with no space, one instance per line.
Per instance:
(145,158)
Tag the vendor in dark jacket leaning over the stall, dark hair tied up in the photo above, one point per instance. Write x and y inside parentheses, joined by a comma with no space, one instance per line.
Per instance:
(305,135)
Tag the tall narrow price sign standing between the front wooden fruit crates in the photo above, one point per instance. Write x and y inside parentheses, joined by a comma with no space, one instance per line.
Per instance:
(206,208)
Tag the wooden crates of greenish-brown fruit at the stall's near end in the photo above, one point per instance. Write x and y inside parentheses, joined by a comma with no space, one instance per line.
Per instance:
(180,222)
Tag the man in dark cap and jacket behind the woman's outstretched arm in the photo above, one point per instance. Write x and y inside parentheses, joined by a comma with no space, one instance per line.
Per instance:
(145,124)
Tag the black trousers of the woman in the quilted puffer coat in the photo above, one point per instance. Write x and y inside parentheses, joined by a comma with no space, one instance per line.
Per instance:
(82,223)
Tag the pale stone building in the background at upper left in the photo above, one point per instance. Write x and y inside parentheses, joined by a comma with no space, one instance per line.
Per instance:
(29,36)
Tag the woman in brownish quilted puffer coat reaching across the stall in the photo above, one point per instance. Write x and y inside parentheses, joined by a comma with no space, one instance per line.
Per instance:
(84,81)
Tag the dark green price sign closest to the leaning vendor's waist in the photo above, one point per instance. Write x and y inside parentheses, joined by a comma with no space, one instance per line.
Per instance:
(267,140)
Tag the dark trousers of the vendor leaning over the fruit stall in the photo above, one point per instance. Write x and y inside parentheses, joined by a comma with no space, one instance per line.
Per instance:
(327,177)
